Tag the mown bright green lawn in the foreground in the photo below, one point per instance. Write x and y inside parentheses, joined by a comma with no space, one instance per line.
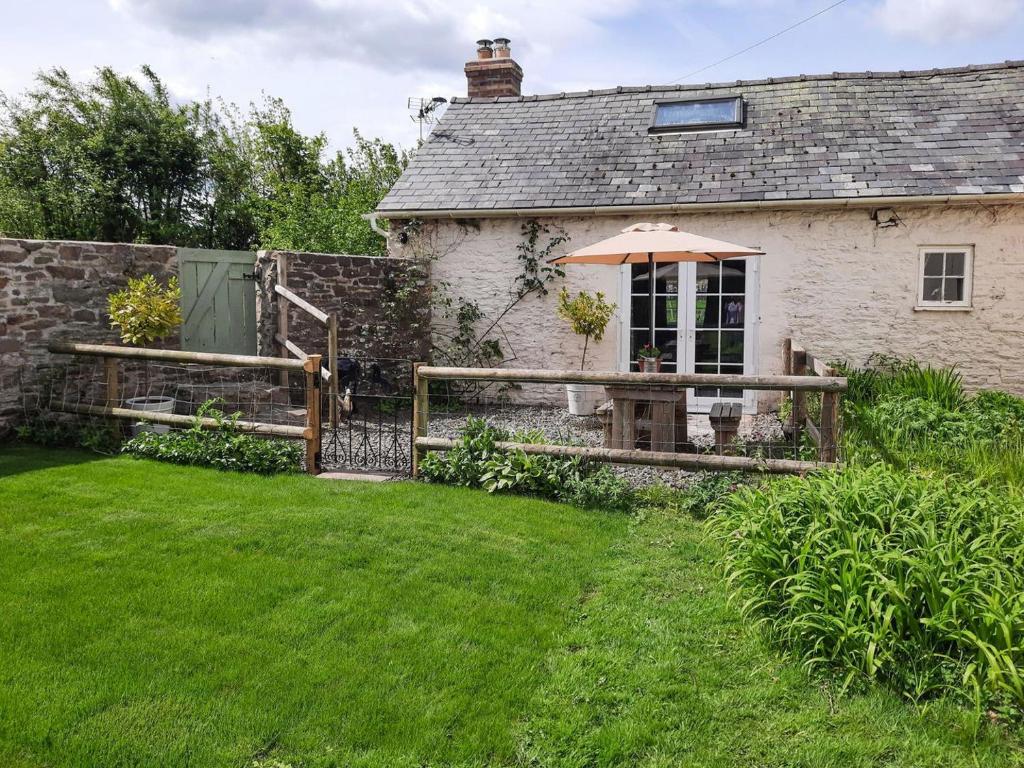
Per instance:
(153,615)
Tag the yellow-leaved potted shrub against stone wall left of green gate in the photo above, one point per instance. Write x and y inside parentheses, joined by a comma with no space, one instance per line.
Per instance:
(146,313)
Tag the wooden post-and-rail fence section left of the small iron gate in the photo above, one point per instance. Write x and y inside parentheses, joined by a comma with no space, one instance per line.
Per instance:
(113,356)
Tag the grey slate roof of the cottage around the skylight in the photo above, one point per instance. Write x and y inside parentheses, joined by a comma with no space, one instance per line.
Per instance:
(941,133)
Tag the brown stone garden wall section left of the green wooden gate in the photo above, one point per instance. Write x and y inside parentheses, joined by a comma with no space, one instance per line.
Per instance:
(58,290)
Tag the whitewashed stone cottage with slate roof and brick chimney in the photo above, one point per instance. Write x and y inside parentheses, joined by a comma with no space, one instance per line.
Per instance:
(890,207)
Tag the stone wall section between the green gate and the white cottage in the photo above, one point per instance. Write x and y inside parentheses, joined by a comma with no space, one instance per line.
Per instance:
(382,305)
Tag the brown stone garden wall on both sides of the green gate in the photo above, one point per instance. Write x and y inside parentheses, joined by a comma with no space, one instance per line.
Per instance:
(59,289)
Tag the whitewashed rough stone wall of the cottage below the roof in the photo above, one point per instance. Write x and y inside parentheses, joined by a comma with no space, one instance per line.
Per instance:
(833,280)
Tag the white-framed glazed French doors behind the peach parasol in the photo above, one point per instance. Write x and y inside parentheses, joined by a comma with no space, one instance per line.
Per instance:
(705,322)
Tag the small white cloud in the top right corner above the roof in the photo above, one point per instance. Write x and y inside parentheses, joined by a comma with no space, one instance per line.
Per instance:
(940,21)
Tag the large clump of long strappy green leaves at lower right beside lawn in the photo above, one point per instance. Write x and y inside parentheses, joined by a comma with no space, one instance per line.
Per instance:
(878,575)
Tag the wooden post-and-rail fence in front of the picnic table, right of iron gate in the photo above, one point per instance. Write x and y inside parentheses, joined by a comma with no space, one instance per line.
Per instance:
(826,436)
